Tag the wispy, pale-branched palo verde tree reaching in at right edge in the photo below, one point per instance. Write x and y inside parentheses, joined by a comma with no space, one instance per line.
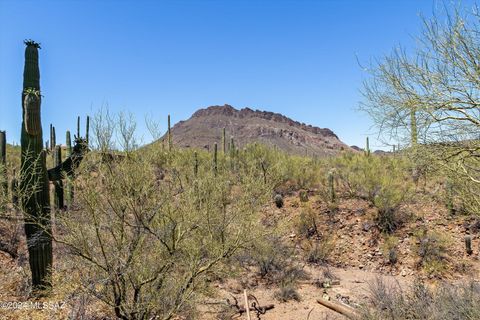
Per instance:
(432,95)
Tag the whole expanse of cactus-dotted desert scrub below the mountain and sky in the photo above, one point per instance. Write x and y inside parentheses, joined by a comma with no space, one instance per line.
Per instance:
(114,228)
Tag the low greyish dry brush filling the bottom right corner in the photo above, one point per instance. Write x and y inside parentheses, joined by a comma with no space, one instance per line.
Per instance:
(445,302)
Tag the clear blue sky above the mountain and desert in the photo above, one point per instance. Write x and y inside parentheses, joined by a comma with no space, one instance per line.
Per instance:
(158,57)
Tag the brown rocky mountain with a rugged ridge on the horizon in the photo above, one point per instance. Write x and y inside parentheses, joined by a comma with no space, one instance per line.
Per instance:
(205,127)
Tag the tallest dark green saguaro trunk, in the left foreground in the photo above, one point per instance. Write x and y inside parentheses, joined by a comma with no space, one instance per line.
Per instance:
(34,193)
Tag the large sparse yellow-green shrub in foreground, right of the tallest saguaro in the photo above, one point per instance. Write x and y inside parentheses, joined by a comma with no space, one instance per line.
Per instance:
(147,247)
